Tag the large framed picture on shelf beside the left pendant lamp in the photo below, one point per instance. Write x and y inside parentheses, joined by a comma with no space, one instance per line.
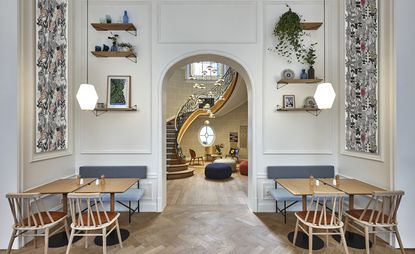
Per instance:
(118,92)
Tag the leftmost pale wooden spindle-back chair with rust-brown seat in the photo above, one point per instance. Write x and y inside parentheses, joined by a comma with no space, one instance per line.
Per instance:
(32,219)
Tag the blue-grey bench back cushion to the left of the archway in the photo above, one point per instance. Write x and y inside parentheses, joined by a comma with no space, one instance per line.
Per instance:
(113,171)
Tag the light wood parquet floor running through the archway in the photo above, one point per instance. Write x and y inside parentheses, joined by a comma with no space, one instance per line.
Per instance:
(205,216)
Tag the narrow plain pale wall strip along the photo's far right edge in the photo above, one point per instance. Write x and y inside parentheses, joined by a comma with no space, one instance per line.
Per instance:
(405,137)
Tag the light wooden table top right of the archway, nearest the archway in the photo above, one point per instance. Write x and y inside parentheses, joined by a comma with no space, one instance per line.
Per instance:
(301,186)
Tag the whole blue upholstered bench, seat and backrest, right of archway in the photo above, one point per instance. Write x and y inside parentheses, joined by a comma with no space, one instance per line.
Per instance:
(281,194)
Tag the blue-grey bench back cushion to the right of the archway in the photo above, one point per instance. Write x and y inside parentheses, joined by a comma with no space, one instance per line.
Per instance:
(321,171)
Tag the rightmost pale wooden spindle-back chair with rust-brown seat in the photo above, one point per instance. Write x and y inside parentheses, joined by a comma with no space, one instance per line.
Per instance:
(379,215)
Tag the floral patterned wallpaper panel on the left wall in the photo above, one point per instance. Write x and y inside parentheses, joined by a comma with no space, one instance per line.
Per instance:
(51,132)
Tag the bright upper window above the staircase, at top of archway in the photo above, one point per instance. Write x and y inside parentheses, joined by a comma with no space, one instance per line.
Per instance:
(208,71)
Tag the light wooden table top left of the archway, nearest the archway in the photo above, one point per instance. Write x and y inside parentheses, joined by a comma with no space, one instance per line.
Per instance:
(109,185)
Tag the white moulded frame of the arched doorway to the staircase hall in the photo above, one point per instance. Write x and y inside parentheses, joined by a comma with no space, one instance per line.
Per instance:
(242,71)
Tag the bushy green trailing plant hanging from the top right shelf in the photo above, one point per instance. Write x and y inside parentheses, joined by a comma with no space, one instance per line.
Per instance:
(289,34)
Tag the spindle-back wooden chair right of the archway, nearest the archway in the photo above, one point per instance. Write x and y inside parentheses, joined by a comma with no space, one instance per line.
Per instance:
(318,221)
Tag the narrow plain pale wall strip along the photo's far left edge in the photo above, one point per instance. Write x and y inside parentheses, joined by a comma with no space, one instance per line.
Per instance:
(9,109)
